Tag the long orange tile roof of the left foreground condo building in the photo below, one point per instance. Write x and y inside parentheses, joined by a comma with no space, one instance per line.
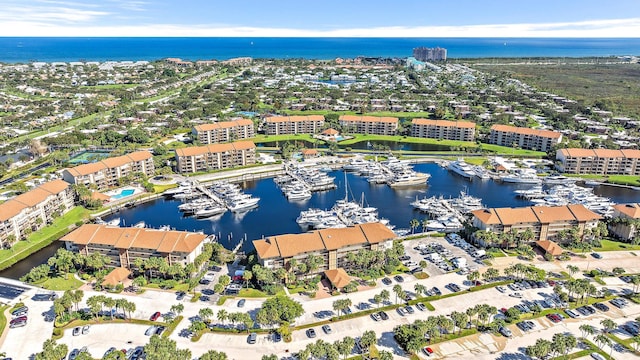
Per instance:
(126,238)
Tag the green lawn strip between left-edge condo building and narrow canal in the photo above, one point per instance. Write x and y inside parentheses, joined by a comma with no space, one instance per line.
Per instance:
(42,237)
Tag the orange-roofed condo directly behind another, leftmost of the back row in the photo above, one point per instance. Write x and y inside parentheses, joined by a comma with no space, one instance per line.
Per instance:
(223,131)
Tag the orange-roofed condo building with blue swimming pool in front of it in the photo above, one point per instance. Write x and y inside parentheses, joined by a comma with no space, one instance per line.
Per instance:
(105,173)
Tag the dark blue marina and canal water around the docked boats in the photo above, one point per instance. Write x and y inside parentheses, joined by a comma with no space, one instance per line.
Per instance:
(276,215)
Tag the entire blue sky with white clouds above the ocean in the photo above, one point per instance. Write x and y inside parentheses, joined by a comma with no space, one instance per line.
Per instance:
(370,18)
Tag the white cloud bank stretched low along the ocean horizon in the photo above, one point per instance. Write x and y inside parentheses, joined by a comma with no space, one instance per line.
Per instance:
(597,28)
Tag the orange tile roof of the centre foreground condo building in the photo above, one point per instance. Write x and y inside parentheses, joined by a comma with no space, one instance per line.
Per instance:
(327,239)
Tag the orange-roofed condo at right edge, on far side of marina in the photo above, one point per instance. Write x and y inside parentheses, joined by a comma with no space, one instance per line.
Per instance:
(598,161)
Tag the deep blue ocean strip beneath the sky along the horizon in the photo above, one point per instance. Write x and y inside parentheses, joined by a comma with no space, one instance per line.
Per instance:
(28,49)
